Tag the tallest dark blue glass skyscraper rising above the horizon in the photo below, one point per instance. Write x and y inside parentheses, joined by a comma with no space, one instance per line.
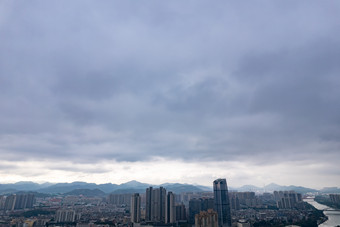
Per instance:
(221,202)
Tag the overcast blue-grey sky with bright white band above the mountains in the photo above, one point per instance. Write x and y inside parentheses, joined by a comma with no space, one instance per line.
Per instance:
(170,91)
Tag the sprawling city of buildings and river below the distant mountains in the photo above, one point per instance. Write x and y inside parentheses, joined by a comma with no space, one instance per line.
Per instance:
(155,206)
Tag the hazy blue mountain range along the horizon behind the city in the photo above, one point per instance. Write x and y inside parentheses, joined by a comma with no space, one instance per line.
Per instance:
(139,187)
